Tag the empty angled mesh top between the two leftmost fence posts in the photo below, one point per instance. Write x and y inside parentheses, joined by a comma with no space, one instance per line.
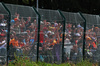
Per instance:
(23,11)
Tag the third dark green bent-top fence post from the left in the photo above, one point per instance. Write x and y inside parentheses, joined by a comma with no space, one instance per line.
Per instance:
(64,19)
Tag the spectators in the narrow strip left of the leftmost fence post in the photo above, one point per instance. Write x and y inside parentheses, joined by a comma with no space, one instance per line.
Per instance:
(3,33)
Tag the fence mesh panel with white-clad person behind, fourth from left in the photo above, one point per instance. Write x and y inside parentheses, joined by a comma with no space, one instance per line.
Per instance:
(73,42)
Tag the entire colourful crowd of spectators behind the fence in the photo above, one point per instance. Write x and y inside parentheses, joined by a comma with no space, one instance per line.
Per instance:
(23,39)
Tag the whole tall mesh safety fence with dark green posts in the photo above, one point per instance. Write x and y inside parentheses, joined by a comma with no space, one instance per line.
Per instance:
(52,36)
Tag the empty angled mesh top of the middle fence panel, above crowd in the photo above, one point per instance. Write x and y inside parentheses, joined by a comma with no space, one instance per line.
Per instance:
(50,15)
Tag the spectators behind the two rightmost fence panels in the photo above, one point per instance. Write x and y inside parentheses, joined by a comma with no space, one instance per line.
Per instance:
(75,39)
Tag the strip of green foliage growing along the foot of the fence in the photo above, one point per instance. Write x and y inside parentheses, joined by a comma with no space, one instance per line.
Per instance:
(25,61)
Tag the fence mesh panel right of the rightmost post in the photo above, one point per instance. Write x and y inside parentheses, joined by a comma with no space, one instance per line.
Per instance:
(92,50)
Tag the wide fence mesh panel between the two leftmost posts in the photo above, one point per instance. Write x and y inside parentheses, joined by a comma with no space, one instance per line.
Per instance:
(23,32)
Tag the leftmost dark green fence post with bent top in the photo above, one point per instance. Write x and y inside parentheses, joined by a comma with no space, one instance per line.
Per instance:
(8,33)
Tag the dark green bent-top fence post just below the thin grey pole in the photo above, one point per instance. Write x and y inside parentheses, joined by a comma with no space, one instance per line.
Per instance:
(38,38)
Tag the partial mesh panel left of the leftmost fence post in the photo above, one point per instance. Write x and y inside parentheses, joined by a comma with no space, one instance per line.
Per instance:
(3,33)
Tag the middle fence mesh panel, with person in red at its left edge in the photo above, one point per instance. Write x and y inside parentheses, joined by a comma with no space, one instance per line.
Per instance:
(51,29)
